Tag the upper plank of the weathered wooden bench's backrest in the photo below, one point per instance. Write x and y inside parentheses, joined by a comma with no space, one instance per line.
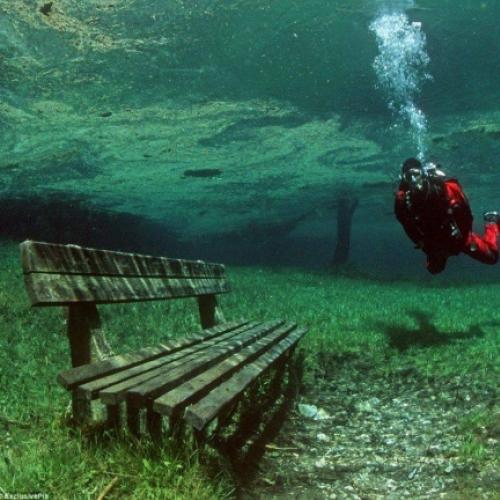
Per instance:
(73,259)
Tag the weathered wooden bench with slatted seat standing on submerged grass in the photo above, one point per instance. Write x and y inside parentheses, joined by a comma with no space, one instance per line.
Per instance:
(194,378)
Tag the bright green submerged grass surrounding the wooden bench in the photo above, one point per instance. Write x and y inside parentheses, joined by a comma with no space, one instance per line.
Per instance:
(439,333)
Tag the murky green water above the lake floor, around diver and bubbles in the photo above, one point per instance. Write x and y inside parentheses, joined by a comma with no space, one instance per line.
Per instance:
(241,123)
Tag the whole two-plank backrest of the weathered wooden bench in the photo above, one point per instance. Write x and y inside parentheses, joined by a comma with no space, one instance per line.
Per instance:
(58,275)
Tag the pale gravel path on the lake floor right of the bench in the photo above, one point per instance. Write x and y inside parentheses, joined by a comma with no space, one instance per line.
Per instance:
(380,437)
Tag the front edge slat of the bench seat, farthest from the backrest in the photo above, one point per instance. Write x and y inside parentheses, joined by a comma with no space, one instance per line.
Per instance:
(205,410)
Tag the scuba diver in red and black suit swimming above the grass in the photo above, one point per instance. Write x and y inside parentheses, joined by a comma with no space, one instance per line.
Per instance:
(436,216)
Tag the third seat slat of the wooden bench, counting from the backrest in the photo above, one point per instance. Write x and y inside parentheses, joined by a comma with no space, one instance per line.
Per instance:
(118,392)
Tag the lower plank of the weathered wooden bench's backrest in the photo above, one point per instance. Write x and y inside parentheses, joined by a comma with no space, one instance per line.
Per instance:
(65,289)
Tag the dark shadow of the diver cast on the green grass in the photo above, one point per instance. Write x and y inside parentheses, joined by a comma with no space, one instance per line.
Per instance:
(426,334)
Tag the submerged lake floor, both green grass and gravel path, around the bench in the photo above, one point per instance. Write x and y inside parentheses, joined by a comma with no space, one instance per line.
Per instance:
(369,340)
